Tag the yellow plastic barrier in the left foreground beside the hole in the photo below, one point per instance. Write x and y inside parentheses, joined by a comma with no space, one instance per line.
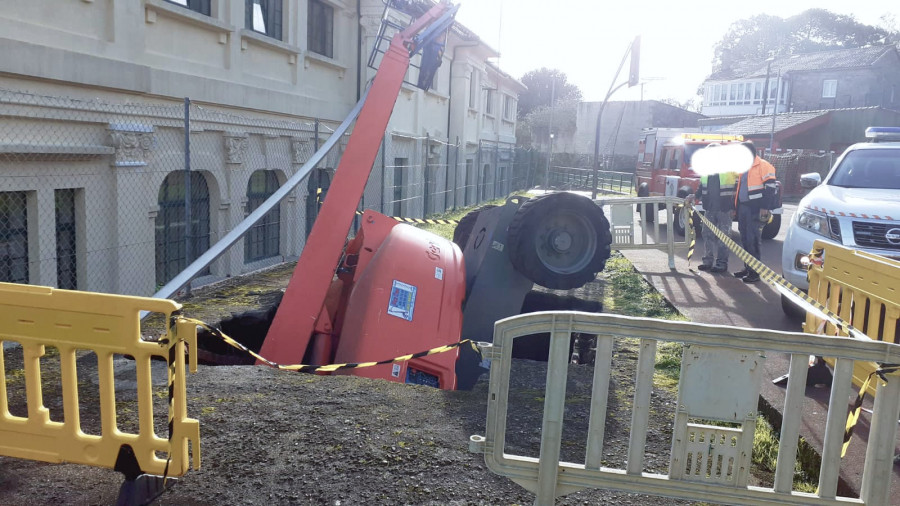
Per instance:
(108,325)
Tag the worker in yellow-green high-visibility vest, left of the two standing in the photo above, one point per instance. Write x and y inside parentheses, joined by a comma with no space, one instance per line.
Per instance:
(716,193)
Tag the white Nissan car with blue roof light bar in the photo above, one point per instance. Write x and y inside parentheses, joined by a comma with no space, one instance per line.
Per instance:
(857,205)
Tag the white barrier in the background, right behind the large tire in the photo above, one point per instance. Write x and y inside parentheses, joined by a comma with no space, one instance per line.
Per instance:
(627,234)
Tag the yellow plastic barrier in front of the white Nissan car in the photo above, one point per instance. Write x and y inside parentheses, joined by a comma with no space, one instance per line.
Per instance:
(863,289)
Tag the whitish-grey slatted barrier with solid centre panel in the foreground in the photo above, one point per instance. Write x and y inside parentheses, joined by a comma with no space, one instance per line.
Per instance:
(720,379)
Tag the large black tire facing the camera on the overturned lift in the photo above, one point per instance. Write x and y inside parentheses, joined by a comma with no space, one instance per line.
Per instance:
(559,240)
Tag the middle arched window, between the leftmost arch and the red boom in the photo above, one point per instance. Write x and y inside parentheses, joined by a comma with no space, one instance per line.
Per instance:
(263,240)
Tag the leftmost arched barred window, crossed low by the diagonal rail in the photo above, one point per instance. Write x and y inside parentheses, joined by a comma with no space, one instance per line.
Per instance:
(173,251)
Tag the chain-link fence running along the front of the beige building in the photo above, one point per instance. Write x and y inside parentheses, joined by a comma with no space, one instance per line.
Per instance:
(121,197)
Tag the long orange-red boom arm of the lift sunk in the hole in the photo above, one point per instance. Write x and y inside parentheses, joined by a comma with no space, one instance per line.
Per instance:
(310,317)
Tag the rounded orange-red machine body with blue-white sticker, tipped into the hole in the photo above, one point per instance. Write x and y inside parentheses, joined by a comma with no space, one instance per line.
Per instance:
(406,296)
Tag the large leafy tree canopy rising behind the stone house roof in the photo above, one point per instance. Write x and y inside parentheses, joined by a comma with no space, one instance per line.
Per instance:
(761,36)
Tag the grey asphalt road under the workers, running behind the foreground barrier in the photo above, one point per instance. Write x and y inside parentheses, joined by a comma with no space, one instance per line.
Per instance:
(725,300)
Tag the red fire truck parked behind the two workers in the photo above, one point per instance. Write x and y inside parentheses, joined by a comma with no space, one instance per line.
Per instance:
(664,169)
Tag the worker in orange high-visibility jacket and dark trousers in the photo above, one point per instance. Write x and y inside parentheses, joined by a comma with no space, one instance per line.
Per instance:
(754,199)
